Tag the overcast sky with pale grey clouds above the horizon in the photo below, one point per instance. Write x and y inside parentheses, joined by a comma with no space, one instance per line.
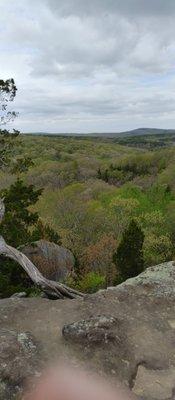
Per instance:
(89,66)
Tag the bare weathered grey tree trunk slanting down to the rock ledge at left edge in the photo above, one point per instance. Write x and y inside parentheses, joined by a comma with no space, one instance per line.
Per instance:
(51,288)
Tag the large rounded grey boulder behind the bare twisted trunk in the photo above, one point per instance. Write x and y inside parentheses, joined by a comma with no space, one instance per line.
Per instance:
(53,261)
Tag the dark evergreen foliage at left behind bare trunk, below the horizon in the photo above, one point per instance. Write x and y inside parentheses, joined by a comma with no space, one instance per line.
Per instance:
(20,226)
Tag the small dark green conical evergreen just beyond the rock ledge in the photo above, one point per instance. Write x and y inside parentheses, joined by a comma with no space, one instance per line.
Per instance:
(129,255)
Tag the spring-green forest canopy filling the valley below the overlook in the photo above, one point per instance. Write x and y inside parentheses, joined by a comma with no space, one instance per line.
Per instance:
(88,192)
